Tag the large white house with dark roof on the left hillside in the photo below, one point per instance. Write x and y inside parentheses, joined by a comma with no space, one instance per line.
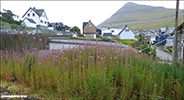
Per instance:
(37,15)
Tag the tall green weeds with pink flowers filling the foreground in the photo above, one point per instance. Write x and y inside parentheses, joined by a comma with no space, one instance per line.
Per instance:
(93,72)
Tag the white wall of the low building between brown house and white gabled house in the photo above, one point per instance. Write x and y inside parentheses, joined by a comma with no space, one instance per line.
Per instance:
(109,30)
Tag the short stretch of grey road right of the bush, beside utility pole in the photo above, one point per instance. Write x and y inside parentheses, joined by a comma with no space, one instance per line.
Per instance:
(163,55)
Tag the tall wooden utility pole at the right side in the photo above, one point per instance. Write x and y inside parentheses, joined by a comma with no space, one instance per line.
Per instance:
(176,33)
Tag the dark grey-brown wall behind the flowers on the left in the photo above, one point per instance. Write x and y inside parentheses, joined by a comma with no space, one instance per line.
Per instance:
(18,42)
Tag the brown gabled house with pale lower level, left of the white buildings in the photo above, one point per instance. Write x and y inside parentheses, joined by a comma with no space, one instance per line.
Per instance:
(89,29)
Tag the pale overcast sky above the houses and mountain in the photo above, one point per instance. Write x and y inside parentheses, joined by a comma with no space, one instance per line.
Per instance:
(74,13)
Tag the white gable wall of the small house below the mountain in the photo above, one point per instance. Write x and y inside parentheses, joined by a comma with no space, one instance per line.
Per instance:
(127,35)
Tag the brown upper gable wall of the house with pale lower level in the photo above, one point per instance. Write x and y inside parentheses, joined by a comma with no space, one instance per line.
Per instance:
(89,30)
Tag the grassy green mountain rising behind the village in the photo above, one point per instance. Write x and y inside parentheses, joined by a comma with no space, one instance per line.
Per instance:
(143,17)
